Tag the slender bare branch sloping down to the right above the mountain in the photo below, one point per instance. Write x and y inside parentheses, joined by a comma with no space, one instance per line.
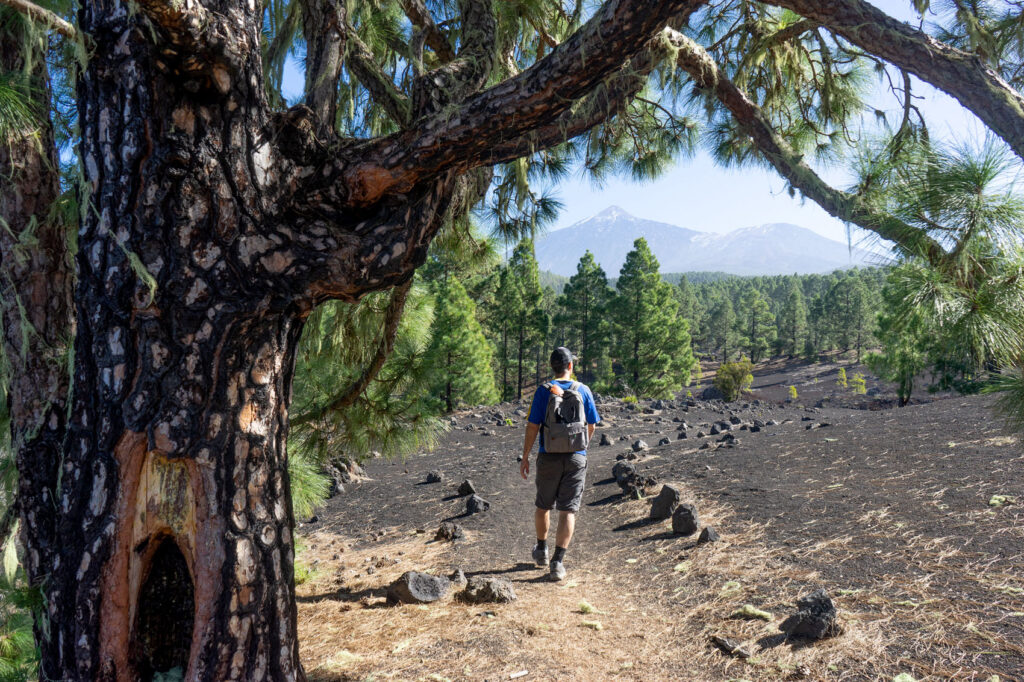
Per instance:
(847,207)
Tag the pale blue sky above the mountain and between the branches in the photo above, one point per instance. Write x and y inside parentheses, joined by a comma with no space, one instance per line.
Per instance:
(700,195)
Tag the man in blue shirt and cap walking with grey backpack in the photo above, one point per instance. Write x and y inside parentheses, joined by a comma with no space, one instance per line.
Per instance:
(565,414)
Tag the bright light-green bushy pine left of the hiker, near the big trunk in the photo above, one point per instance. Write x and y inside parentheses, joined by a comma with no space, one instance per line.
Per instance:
(460,358)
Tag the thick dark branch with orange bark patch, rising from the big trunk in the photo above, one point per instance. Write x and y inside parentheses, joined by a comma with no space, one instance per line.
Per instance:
(462,139)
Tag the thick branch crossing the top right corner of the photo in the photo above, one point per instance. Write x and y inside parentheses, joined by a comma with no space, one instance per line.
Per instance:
(964,76)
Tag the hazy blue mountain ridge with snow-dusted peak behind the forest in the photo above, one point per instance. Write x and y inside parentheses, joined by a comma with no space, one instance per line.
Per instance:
(771,249)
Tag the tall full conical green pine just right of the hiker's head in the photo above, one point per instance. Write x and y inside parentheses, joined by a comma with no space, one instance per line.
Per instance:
(653,340)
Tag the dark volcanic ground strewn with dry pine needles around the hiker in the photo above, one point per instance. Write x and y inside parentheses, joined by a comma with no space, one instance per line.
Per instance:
(889,510)
